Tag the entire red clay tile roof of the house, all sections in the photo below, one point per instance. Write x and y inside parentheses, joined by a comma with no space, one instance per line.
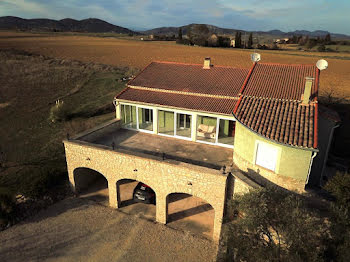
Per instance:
(267,98)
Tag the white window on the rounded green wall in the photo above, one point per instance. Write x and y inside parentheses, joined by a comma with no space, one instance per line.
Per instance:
(266,156)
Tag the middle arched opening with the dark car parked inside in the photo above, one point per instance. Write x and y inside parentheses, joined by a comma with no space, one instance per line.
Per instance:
(136,198)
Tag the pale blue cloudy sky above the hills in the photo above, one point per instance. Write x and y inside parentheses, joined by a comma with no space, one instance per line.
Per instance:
(253,15)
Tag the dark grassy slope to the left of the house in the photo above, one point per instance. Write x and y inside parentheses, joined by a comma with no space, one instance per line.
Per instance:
(30,143)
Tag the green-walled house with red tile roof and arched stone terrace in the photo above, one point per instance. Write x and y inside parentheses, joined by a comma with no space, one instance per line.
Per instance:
(208,131)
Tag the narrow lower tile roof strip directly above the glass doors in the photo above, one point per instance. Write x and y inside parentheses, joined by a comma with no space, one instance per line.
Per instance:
(191,102)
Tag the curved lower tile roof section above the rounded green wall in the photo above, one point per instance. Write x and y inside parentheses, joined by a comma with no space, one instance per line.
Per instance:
(287,122)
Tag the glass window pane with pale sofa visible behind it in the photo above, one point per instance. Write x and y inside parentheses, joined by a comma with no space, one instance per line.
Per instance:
(206,128)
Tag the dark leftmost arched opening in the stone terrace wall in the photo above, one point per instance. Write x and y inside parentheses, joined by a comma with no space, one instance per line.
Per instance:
(91,184)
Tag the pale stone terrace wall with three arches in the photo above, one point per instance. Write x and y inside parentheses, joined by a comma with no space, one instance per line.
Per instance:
(163,176)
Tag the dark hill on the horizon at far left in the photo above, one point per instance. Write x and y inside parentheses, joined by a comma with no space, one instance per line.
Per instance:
(91,25)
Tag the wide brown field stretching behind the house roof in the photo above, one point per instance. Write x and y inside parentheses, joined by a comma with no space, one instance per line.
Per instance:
(133,53)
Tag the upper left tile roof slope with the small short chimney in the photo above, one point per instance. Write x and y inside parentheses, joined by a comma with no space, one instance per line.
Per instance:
(218,80)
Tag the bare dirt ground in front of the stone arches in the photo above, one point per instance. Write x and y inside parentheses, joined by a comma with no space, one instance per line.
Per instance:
(79,229)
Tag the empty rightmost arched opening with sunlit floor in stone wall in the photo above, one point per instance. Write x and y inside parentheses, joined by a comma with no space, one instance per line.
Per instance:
(190,213)
